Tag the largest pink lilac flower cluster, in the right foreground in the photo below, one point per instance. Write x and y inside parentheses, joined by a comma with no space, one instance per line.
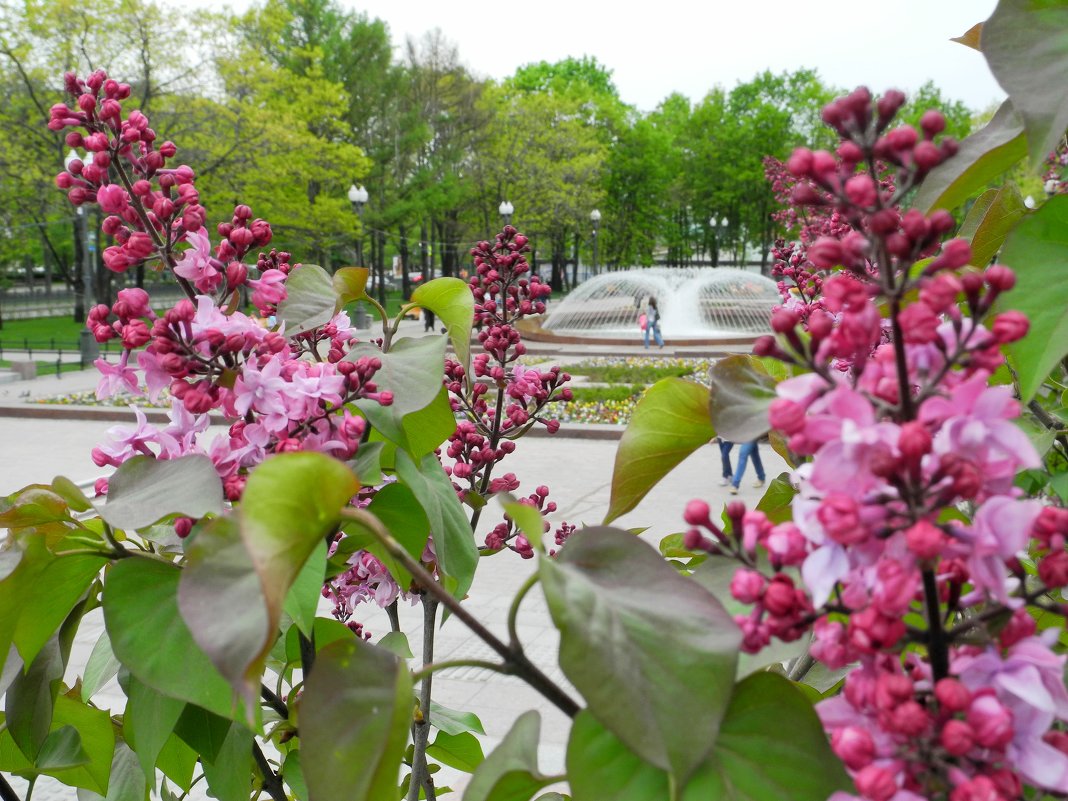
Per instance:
(898,430)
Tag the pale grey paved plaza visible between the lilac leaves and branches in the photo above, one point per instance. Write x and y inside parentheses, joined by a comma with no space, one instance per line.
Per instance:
(577,470)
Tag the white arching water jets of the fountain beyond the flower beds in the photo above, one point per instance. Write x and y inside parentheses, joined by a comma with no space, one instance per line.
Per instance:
(697,305)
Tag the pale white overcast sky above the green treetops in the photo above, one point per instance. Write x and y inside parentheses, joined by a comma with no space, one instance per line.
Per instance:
(664,46)
